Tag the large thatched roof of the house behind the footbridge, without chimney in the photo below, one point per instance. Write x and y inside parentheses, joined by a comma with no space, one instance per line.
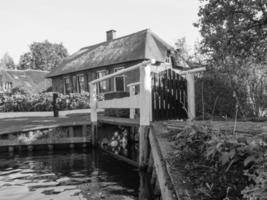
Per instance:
(137,46)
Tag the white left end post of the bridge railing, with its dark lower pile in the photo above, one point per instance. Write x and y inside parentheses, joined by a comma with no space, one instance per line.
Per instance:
(93,106)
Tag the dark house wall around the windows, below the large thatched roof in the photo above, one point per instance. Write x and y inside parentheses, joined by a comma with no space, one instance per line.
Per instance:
(91,74)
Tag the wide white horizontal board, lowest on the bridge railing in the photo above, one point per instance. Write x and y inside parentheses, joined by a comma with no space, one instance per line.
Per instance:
(126,102)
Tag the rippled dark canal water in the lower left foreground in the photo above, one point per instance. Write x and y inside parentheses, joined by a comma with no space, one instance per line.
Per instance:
(90,175)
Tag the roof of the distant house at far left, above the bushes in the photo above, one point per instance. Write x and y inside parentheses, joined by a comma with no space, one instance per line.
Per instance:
(32,81)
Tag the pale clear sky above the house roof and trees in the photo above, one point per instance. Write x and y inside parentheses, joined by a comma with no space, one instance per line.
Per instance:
(79,23)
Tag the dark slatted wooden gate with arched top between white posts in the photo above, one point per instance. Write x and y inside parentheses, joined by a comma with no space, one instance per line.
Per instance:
(169,96)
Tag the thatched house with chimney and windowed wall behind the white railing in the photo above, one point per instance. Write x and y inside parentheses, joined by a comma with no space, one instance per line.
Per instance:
(91,62)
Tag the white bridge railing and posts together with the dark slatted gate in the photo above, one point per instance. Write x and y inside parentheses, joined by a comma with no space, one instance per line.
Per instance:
(155,89)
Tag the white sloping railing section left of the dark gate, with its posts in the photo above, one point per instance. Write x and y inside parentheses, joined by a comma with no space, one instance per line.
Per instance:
(136,100)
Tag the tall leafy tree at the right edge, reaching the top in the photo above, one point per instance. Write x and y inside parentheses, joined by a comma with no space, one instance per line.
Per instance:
(235,40)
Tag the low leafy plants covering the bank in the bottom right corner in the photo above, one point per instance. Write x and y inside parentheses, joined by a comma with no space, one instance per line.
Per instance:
(222,165)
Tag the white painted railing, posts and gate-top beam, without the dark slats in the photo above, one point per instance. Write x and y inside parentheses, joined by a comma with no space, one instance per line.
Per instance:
(143,100)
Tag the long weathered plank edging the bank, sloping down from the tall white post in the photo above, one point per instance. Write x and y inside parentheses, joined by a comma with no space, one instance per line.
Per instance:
(162,175)
